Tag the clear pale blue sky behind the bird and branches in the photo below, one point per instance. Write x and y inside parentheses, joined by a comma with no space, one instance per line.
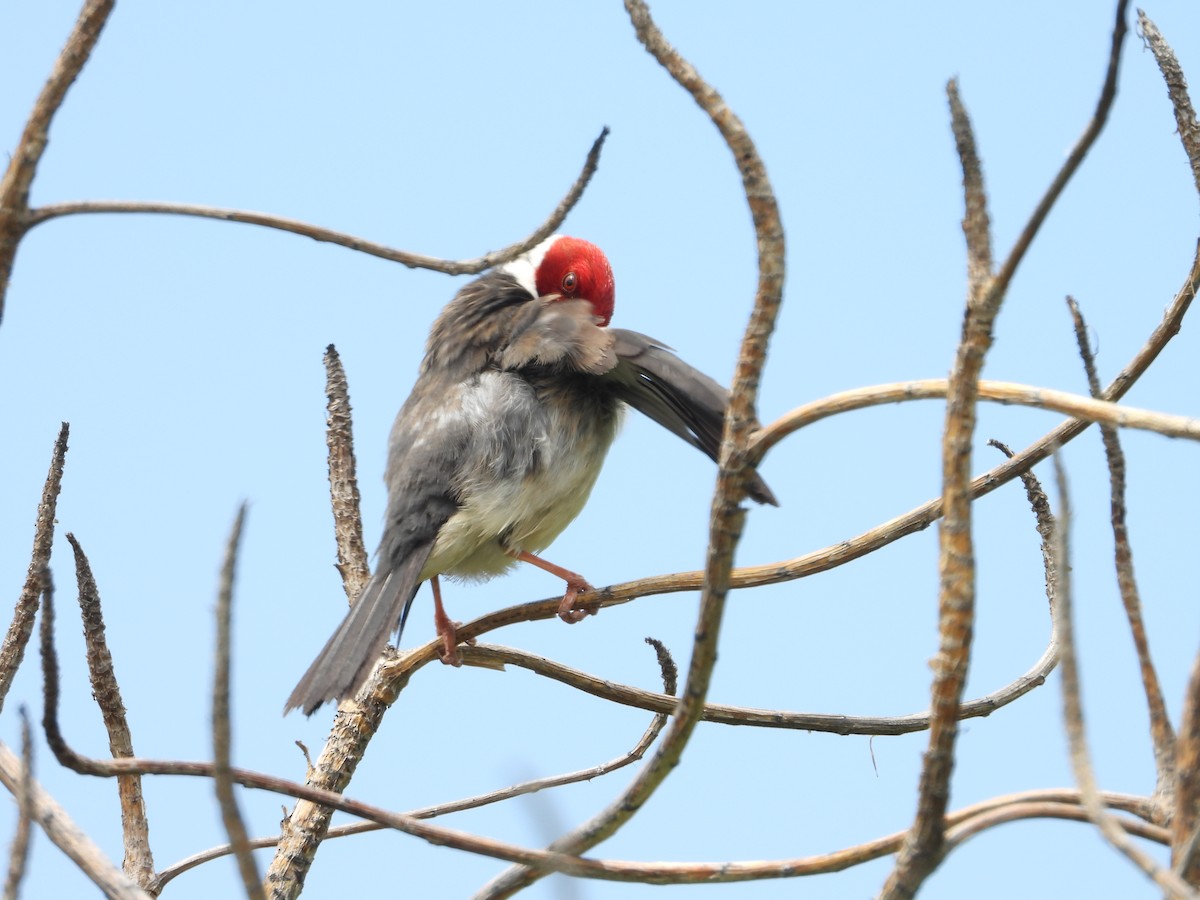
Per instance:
(187,356)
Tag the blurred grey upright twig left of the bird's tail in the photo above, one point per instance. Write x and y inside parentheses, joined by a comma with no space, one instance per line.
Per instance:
(223,783)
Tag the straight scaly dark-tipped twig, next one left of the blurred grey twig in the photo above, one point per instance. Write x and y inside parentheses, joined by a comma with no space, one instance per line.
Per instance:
(107,693)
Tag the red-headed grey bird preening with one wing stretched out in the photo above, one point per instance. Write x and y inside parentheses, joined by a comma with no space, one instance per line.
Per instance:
(518,400)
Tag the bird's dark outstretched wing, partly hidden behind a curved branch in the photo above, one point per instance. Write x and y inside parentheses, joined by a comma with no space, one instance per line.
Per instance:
(682,399)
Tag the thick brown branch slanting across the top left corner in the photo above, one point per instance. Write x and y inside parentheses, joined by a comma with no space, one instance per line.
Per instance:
(23,166)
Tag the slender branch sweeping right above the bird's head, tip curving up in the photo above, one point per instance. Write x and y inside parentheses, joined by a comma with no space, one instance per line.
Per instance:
(305,230)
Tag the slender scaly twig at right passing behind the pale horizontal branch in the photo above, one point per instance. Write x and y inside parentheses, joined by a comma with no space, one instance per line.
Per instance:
(1161,731)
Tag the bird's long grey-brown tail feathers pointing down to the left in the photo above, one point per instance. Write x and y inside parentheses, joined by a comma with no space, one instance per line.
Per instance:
(346,661)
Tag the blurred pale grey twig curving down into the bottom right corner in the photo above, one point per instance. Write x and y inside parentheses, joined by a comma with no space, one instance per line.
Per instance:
(1073,713)
